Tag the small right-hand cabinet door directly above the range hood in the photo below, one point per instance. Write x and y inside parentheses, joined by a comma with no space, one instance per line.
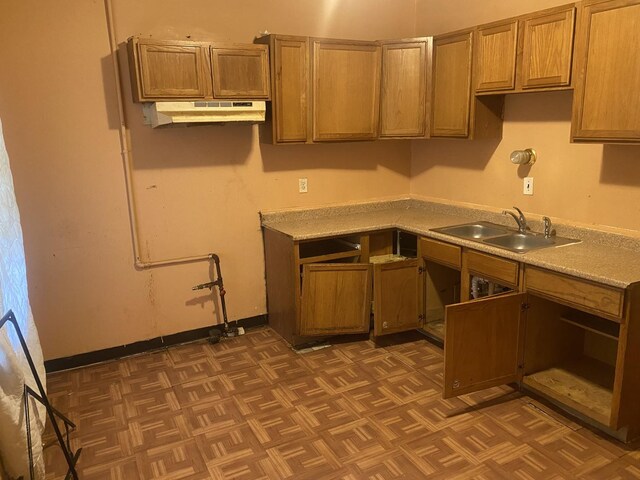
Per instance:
(240,71)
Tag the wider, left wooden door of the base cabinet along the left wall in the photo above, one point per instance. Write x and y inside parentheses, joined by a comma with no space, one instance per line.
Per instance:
(336,298)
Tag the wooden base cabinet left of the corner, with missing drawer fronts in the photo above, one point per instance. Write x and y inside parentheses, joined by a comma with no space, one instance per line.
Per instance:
(335,286)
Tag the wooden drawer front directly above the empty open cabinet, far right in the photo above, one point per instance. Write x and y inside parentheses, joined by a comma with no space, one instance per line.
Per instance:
(600,299)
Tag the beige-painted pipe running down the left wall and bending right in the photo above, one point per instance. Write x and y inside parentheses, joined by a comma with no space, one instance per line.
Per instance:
(127,161)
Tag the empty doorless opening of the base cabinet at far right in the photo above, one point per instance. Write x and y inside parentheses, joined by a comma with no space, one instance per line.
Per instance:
(570,356)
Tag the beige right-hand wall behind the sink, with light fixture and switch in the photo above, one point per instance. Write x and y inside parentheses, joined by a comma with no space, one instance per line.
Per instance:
(588,184)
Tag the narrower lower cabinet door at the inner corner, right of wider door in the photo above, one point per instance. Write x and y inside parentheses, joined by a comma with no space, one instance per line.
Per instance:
(395,292)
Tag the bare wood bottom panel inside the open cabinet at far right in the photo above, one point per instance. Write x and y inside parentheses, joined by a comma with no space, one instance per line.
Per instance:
(583,384)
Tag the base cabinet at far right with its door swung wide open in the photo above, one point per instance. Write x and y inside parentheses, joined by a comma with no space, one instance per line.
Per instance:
(560,346)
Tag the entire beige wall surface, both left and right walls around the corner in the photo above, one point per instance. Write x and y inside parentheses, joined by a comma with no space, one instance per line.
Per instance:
(200,190)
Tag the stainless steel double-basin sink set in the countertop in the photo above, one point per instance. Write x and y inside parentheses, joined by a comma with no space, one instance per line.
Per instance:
(503,237)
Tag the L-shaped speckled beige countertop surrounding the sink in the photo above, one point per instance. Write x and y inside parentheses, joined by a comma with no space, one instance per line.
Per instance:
(603,257)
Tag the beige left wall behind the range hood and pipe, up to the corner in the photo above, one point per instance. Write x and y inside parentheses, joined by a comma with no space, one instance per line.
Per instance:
(199,190)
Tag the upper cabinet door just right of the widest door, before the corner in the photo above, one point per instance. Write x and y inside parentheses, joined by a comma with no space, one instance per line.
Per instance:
(404,85)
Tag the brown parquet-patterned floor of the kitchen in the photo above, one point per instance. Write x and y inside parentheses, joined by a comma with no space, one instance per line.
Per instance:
(250,408)
